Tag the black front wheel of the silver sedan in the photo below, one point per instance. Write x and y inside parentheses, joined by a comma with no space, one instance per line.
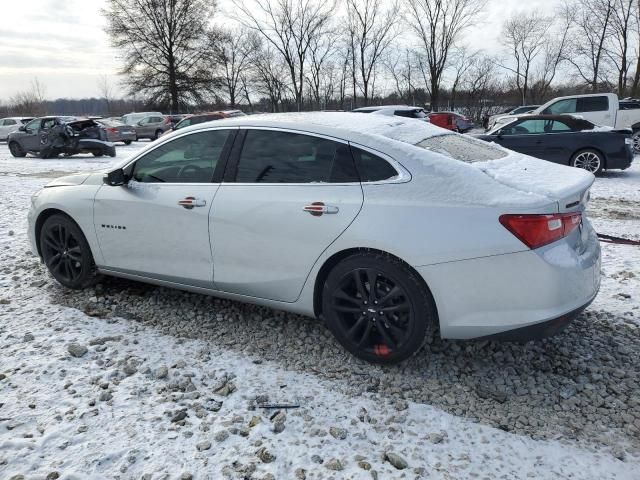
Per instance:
(66,252)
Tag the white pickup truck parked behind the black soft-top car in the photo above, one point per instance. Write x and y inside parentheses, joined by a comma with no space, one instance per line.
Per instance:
(599,108)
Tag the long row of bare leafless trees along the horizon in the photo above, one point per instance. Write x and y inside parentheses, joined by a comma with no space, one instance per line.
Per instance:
(293,55)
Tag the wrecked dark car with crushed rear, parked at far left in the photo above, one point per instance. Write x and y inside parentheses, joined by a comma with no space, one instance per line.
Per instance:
(49,137)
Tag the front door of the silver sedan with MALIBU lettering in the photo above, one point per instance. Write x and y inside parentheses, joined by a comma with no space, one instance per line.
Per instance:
(157,224)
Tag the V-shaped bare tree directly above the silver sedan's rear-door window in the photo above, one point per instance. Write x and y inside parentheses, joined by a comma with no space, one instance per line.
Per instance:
(290,26)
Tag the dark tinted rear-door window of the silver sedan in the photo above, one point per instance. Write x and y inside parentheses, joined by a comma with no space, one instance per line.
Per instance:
(281,157)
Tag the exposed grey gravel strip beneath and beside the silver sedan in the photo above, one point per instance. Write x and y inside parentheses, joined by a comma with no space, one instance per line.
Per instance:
(583,384)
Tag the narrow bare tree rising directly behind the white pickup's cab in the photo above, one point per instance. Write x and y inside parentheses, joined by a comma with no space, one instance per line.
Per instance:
(592,27)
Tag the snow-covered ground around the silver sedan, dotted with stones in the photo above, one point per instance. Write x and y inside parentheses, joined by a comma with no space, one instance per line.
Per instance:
(144,404)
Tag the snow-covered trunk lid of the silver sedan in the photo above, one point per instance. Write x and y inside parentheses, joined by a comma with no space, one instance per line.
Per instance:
(566,186)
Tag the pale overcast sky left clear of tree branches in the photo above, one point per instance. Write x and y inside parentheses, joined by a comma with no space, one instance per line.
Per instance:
(63,43)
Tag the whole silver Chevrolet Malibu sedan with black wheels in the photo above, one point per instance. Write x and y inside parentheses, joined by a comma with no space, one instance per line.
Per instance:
(389,229)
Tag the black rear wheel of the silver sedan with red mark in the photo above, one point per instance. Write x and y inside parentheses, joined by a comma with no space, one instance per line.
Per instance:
(404,321)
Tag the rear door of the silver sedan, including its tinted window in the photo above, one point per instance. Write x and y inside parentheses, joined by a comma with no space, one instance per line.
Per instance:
(286,198)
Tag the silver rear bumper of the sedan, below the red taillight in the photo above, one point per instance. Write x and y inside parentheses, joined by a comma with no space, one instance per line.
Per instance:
(529,291)
